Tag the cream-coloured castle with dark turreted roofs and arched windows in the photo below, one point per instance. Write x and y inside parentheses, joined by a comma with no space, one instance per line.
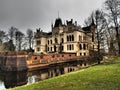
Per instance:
(66,38)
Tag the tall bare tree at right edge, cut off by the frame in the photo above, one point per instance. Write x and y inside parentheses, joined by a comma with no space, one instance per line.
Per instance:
(113,8)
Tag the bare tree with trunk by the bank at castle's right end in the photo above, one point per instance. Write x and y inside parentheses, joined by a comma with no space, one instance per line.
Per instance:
(98,18)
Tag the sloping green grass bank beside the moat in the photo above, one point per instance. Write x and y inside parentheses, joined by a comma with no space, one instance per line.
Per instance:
(100,77)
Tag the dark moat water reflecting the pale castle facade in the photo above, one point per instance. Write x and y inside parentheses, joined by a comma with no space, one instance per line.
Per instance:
(14,79)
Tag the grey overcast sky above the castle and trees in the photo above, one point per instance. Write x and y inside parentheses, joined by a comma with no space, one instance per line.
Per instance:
(33,14)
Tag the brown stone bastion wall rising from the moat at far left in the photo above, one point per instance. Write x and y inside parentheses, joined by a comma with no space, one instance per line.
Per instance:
(13,61)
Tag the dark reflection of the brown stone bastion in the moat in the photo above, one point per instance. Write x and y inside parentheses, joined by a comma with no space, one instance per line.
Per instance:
(13,79)
